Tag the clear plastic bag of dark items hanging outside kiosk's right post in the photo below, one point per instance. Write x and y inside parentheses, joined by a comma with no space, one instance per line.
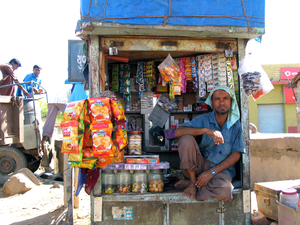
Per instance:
(255,80)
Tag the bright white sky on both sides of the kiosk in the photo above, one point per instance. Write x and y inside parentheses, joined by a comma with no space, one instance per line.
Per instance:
(37,32)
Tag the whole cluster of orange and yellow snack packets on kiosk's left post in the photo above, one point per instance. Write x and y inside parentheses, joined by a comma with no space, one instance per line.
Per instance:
(88,135)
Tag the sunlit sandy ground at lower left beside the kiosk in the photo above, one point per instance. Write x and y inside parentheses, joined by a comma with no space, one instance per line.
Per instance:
(43,205)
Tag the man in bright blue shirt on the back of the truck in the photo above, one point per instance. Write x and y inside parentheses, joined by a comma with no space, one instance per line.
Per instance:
(32,77)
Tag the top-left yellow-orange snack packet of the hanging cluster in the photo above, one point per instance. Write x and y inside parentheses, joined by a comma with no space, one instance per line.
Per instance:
(72,111)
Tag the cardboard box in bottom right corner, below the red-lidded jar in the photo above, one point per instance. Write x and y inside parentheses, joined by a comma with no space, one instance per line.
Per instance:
(287,215)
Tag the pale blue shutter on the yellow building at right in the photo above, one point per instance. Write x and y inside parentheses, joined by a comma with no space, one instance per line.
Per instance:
(270,118)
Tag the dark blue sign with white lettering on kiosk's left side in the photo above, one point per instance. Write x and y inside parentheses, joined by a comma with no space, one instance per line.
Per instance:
(76,61)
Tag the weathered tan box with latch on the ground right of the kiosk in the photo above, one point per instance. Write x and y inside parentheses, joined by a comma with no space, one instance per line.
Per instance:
(267,193)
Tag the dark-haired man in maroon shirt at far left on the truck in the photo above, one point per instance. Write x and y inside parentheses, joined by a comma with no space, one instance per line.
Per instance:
(9,78)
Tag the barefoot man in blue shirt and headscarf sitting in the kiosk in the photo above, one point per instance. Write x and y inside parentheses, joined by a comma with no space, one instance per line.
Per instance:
(210,166)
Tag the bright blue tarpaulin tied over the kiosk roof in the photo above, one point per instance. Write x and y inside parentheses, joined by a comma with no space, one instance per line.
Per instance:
(152,12)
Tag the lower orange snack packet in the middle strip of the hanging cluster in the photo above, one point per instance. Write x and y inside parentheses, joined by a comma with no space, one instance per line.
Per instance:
(102,143)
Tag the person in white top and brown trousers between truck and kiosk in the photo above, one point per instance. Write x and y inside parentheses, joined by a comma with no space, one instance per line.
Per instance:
(56,102)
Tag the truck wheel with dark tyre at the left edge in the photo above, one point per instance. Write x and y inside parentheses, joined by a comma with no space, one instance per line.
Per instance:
(11,161)
